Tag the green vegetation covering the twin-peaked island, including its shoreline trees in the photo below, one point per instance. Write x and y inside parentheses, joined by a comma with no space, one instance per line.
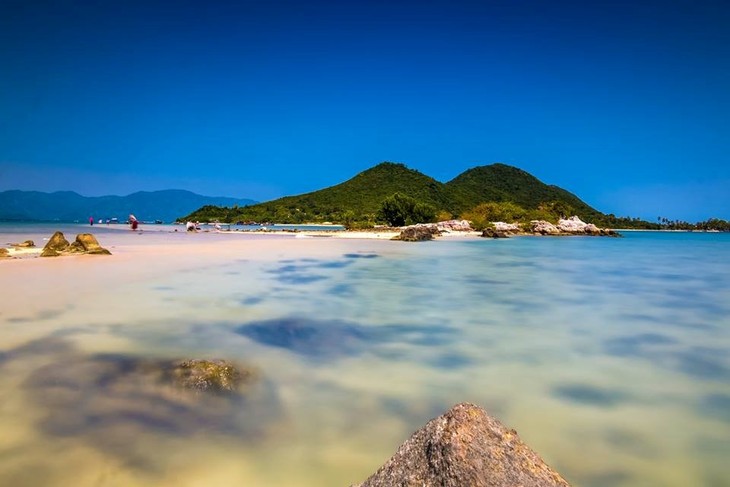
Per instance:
(393,194)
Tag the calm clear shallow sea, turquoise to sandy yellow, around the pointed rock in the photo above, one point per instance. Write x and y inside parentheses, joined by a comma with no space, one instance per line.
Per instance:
(611,358)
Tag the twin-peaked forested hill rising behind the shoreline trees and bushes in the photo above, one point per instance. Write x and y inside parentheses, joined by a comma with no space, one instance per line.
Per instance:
(359,198)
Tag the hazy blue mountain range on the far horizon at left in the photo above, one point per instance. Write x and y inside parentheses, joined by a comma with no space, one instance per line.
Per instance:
(69,206)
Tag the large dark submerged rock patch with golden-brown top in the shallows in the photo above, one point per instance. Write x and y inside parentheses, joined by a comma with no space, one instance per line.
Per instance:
(113,401)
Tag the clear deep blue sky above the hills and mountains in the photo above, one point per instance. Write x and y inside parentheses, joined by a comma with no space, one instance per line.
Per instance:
(624,103)
